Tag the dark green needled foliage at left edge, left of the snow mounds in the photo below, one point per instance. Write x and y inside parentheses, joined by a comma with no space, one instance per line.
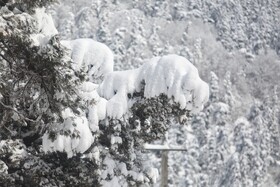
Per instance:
(36,82)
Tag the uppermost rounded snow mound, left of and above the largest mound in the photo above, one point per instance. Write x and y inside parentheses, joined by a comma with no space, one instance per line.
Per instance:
(96,57)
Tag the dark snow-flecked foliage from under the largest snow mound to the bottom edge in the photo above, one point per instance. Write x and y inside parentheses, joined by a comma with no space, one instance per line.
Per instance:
(147,121)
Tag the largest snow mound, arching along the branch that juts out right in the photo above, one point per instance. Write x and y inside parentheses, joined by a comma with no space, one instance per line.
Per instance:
(172,75)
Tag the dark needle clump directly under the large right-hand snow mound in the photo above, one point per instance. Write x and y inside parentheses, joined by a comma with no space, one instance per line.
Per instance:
(155,115)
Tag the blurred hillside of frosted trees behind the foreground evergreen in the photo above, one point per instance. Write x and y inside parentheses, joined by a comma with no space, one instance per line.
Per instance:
(235,45)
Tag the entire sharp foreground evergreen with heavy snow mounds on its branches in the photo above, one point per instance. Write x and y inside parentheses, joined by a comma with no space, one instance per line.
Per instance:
(64,110)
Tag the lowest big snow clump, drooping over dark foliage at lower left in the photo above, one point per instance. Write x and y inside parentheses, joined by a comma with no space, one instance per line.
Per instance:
(73,136)
